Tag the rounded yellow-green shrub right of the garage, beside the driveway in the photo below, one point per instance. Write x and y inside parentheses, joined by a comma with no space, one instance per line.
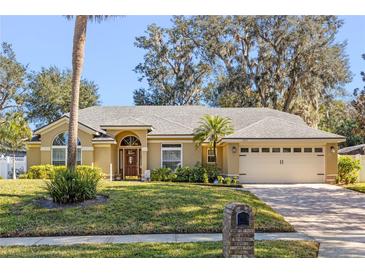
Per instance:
(348,170)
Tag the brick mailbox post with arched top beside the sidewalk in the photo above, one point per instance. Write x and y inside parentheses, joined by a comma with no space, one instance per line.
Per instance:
(238,231)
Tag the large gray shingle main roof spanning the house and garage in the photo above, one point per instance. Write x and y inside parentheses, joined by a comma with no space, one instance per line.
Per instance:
(181,120)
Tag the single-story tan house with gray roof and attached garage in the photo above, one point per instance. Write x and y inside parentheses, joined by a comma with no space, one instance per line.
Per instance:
(267,145)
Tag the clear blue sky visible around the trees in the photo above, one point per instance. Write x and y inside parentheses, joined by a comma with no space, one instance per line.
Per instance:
(41,41)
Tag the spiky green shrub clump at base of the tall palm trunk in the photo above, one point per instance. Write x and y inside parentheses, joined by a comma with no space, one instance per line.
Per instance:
(69,186)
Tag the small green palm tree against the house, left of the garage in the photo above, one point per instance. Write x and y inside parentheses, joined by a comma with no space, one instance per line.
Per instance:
(211,129)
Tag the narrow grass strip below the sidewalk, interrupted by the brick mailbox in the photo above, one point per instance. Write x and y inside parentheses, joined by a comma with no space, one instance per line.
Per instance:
(263,249)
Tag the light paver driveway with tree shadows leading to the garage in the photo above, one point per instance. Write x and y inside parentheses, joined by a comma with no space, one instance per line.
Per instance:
(332,215)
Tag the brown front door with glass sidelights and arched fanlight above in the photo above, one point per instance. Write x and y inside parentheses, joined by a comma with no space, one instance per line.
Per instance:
(130,157)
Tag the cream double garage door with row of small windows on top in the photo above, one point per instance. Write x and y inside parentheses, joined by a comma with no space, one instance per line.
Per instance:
(282,165)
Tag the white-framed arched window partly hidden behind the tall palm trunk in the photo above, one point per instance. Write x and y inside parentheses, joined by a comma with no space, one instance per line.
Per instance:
(59,150)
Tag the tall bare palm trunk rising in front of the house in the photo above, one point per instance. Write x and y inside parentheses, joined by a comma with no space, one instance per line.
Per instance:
(78,51)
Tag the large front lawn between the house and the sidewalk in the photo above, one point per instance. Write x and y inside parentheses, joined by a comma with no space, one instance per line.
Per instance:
(132,208)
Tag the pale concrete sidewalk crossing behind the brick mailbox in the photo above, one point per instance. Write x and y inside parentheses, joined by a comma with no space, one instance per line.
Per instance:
(140,238)
